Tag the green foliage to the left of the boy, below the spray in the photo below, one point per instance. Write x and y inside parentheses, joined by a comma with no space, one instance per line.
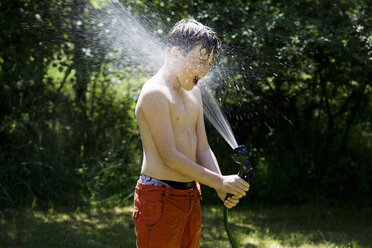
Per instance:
(66,133)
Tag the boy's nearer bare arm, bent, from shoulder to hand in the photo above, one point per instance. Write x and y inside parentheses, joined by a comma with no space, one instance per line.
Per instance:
(155,107)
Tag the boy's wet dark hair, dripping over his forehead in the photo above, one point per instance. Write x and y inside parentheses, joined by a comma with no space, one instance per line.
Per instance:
(188,33)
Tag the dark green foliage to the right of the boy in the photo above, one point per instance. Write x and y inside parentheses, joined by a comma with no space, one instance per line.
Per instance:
(300,95)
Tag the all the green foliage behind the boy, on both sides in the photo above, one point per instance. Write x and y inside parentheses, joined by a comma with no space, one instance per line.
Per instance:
(297,94)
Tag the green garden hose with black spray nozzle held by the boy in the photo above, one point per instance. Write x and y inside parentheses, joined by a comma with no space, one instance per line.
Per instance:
(240,156)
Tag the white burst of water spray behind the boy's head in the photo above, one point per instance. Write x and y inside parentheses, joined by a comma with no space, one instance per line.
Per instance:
(126,37)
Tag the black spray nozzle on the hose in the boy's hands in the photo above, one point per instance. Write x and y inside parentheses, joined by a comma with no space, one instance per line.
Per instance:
(240,156)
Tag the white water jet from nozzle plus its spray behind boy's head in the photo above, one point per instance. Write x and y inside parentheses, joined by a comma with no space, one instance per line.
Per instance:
(127,35)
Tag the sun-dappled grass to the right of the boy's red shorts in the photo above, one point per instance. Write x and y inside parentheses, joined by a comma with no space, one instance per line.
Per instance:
(289,226)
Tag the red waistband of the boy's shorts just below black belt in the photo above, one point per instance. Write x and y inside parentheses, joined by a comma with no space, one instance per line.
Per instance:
(162,189)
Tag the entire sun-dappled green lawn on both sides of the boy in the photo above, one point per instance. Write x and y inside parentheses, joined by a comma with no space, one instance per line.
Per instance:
(257,226)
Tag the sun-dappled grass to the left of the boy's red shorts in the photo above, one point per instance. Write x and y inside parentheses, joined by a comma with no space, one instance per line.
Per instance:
(90,228)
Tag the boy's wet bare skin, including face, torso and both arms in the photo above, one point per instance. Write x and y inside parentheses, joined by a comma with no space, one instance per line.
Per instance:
(170,118)
